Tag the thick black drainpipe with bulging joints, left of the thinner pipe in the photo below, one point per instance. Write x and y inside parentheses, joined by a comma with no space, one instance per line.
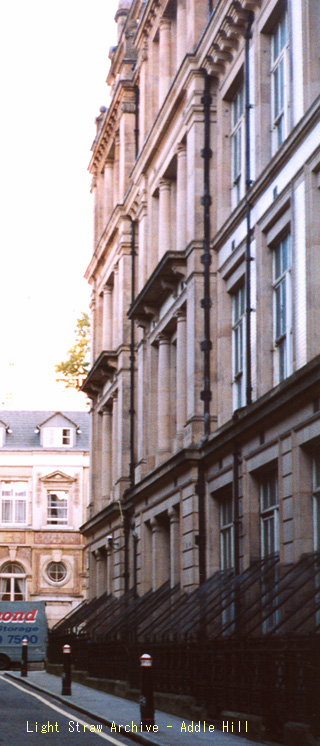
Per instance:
(206,345)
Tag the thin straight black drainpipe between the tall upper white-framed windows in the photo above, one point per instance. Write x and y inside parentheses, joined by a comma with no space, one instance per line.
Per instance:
(248,36)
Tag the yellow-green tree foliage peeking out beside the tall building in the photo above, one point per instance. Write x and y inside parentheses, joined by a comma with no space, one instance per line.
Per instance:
(73,371)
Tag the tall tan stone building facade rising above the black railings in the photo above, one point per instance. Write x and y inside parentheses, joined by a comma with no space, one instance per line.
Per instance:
(205,278)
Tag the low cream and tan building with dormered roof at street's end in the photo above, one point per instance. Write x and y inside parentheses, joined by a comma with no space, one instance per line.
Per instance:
(44,466)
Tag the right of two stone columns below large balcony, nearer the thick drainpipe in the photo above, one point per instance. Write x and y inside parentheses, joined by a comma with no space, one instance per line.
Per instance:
(181,376)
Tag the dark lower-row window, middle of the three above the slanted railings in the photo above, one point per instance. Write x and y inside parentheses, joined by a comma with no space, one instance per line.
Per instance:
(269,514)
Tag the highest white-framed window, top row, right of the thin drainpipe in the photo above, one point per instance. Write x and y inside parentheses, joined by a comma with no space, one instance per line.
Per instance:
(279,78)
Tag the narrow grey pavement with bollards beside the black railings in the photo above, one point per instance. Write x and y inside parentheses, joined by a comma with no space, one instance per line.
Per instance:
(115,712)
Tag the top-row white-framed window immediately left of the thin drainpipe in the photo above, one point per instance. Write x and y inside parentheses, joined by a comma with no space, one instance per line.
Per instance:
(237,145)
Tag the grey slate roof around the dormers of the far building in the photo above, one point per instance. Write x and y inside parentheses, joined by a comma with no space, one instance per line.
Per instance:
(24,423)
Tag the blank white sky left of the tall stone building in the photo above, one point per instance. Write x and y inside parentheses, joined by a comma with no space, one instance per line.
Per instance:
(54,63)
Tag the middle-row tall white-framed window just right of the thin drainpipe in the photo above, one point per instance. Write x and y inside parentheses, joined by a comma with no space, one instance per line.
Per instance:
(282,308)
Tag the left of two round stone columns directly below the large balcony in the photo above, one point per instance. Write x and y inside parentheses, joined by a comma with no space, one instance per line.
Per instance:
(163,396)
